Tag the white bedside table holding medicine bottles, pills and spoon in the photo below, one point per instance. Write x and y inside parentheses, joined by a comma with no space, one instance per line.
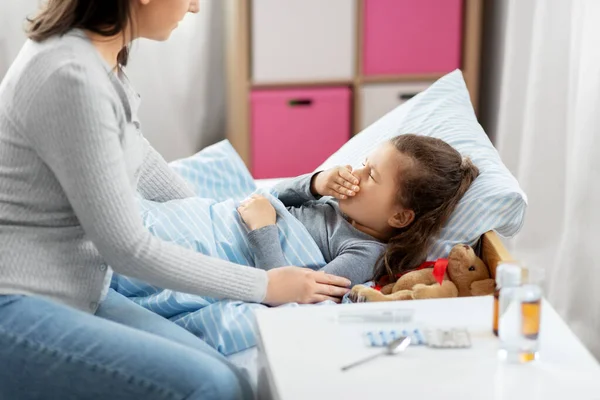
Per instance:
(302,349)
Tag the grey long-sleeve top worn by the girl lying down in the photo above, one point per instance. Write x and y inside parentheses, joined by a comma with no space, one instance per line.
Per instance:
(348,252)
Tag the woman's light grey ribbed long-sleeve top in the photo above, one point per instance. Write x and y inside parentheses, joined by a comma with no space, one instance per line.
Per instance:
(71,159)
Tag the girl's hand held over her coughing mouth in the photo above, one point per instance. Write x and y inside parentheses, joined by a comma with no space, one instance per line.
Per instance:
(338,182)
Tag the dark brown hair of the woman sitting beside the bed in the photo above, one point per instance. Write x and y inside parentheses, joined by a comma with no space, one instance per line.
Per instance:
(104,17)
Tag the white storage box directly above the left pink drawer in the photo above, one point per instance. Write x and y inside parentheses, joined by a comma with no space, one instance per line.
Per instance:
(303,40)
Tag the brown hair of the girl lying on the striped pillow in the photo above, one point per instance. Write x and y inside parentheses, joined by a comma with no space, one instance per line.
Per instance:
(432,188)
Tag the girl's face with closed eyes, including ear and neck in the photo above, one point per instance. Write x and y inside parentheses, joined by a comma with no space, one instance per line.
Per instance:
(375,206)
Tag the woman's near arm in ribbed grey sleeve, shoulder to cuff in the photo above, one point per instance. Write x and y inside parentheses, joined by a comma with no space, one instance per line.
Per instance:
(74,128)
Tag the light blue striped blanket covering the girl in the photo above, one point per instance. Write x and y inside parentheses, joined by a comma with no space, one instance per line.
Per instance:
(211,225)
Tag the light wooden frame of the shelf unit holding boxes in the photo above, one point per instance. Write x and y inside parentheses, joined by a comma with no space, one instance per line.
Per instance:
(239,75)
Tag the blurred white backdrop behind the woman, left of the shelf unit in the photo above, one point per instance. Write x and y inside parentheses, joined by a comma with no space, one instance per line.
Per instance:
(182,81)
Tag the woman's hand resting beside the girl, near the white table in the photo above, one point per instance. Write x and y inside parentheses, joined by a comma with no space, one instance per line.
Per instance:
(304,286)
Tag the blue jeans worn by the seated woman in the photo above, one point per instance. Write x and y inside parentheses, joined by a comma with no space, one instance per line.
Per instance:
(51,351)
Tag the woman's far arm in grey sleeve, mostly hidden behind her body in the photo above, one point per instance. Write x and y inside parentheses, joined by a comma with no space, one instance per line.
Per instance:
(158,182)
